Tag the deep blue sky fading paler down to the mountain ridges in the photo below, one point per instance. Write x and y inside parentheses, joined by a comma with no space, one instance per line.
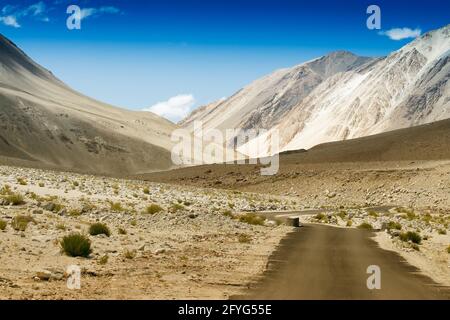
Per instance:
(135,53)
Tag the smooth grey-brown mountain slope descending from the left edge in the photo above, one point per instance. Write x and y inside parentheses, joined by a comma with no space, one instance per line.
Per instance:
(45,123)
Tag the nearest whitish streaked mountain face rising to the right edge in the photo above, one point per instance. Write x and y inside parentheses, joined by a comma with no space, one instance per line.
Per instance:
(409,87)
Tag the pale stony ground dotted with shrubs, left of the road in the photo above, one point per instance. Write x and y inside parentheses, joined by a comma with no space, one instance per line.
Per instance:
(194,247)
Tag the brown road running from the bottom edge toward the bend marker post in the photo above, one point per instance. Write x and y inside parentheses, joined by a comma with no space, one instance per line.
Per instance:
(321,262)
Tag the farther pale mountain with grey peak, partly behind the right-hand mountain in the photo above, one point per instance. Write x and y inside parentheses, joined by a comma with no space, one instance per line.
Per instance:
(263,103)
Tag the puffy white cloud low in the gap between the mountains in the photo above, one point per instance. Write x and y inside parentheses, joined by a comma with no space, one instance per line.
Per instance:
(175,109)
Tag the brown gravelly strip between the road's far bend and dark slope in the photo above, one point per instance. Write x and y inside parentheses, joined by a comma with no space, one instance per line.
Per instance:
(418,184)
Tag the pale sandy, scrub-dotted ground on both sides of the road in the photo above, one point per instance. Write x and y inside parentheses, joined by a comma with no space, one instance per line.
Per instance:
(193,248)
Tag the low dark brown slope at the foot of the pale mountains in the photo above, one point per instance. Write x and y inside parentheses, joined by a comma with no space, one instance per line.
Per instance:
(391,149)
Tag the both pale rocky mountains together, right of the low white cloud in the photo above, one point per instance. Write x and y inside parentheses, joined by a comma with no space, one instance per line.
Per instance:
(341,96)
